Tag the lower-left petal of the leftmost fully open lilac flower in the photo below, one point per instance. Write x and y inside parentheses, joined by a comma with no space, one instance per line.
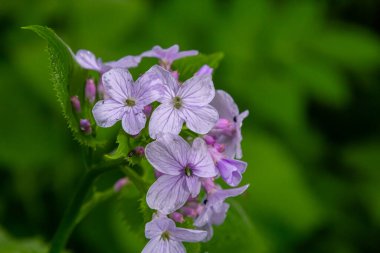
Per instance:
(108,112)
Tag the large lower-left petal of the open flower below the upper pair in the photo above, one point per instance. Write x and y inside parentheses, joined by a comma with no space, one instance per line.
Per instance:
(168,194)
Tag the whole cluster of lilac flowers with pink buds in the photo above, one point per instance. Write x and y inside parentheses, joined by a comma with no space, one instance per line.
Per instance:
(187,160)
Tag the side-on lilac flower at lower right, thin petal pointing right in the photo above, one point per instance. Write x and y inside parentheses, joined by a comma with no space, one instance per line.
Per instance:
(215,210)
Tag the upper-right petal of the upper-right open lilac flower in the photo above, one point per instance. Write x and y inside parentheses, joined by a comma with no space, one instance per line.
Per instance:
(197,91)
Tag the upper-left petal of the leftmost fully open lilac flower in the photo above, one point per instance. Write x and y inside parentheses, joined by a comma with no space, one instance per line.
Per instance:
(118,84)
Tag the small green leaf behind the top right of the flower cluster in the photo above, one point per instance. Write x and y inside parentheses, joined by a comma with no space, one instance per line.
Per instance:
(188,66)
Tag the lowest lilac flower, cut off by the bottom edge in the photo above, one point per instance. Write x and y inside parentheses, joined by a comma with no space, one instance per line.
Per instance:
(165,237)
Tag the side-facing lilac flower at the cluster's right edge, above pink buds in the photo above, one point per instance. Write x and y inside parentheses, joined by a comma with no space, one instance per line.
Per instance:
(228,110)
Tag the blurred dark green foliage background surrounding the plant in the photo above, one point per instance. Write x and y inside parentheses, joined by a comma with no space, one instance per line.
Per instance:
(308,71)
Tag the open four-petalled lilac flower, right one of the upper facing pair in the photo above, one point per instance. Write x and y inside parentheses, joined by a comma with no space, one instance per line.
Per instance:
(187,102)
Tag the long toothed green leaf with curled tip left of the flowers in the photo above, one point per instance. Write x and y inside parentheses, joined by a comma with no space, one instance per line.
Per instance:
(68,80)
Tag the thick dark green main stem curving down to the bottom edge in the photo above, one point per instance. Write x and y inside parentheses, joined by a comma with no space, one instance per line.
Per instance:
(68,222)
